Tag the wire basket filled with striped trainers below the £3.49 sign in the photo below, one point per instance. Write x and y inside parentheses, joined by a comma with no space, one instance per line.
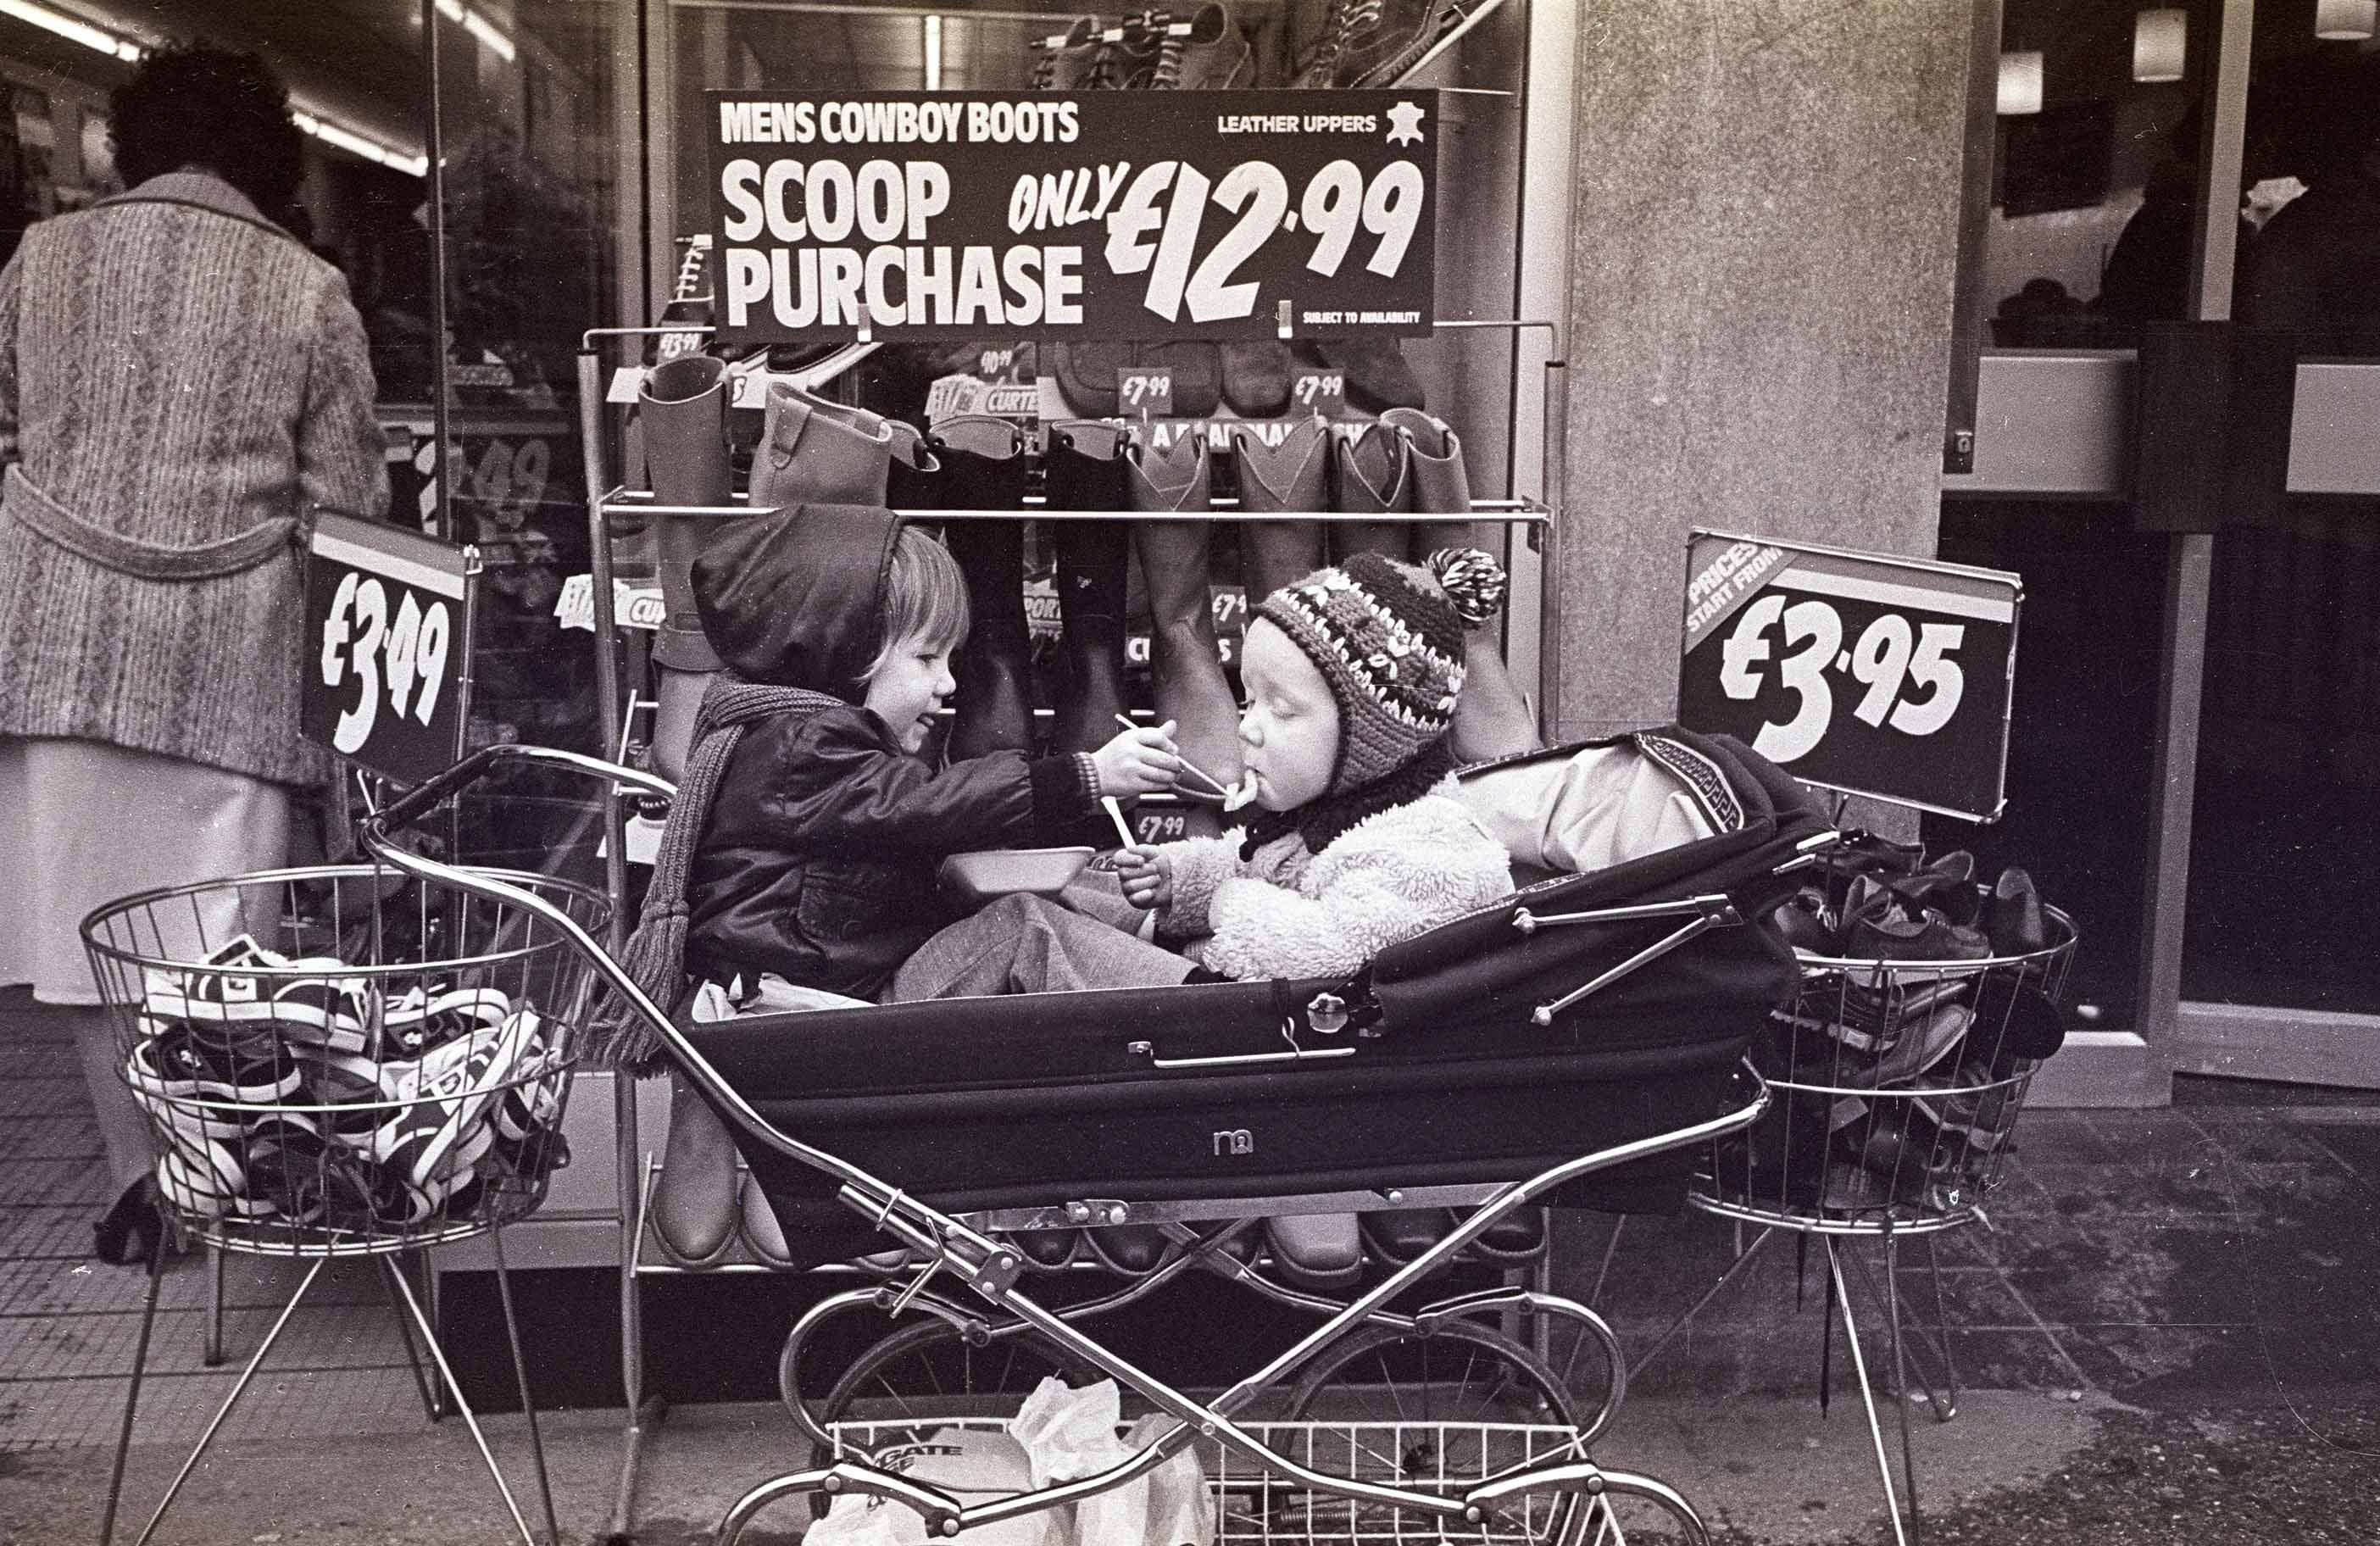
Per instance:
(346,1060)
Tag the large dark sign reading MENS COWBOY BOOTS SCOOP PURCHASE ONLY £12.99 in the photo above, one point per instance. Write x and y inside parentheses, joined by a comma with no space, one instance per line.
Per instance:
(1072,215)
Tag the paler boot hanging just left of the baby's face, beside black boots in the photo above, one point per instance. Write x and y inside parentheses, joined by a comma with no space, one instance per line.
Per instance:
(1186,665)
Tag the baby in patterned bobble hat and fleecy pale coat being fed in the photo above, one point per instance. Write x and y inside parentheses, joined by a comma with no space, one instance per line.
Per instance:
(1353,677)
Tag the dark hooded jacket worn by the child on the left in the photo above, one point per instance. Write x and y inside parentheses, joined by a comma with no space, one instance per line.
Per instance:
(822,846)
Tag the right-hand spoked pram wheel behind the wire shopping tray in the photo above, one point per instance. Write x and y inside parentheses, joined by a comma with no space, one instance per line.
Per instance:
(1441,1409)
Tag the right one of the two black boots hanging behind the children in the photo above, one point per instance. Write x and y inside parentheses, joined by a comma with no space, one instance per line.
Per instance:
(1084,470)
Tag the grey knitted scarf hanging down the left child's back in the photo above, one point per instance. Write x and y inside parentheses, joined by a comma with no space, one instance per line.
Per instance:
(656,955)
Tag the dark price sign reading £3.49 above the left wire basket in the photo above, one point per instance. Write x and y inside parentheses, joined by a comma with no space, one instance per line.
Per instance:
(389,643)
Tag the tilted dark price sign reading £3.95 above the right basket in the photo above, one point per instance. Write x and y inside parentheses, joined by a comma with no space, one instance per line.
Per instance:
(1855,672)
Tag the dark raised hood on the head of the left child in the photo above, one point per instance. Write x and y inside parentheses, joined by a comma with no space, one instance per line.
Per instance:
(798,598)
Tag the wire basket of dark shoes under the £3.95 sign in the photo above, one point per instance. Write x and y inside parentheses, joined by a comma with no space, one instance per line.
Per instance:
(1898,1088)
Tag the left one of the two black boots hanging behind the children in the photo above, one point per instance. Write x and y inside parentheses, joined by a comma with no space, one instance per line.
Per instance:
(984,467)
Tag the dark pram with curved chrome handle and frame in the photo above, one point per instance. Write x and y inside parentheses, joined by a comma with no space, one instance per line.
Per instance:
(1577,1043)
